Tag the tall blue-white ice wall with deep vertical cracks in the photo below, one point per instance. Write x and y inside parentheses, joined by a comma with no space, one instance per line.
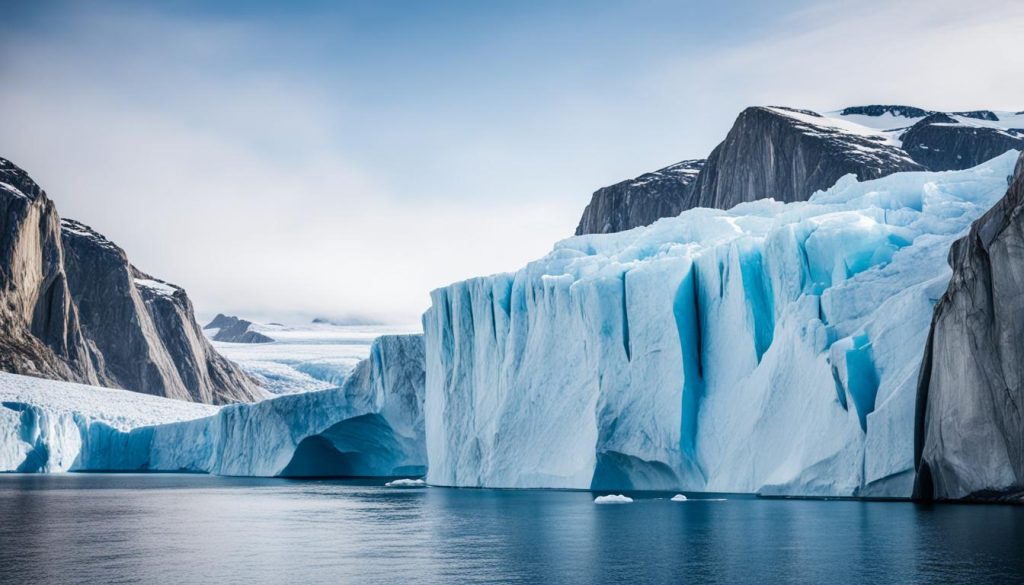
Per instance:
(771,349)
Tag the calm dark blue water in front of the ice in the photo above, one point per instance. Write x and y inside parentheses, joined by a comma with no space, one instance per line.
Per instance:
(198,529)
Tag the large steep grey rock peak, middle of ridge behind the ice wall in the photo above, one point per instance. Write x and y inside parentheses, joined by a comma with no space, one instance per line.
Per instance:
(787,155)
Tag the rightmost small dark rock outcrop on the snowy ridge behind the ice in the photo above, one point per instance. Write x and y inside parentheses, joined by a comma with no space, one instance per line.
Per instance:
(942,144)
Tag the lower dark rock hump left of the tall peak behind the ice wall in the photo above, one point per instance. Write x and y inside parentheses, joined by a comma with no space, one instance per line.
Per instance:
(641,201)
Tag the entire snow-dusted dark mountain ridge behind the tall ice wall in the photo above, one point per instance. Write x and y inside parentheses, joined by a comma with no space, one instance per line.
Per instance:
(789,154)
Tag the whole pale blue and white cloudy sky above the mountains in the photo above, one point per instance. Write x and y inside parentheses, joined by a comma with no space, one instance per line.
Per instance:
(283,161)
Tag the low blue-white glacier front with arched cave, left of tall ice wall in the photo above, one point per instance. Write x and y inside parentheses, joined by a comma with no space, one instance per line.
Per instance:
(372,426)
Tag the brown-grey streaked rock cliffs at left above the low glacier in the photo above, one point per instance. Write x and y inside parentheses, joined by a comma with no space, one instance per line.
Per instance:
(76,310)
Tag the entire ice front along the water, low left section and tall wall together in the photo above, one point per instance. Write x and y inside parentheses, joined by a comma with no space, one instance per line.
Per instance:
(771,349)
